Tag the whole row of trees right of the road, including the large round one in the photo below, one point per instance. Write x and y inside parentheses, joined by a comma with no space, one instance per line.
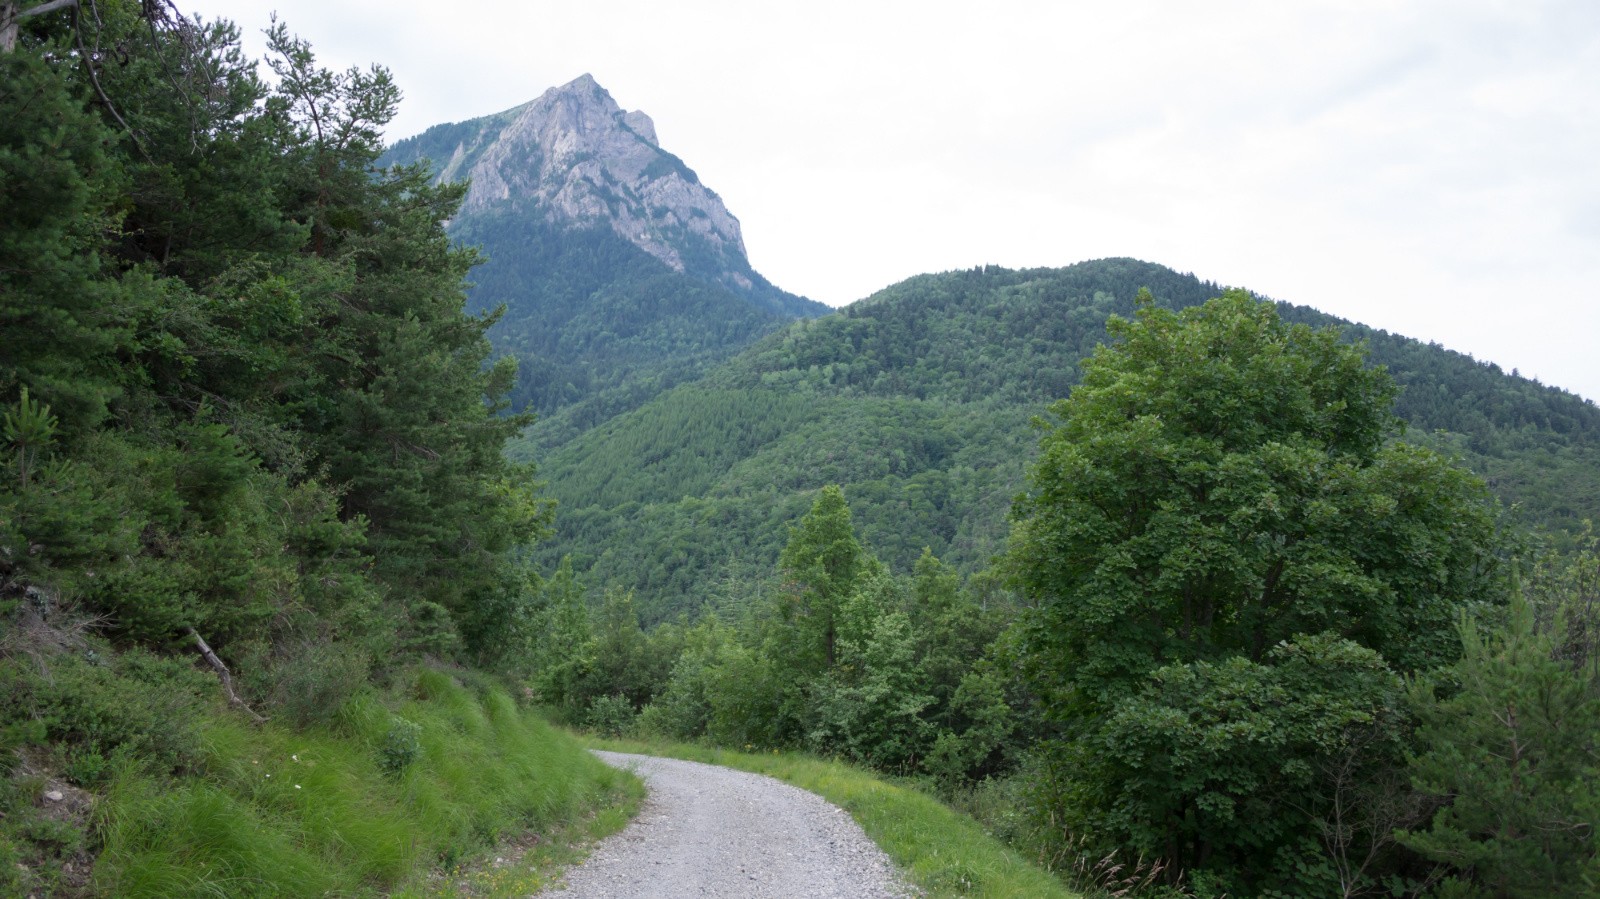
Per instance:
(1246,644)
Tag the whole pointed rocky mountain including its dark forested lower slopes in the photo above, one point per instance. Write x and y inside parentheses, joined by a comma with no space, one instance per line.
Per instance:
(617,271)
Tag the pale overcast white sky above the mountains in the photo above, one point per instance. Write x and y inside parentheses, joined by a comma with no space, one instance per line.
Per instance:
(1425,167)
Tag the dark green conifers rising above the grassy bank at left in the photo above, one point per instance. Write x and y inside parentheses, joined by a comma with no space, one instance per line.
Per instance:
(244,409)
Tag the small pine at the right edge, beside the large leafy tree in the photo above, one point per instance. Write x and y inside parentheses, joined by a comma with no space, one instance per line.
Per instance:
(1511,743)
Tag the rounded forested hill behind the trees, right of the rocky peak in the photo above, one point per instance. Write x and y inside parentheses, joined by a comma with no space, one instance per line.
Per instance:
(918,402)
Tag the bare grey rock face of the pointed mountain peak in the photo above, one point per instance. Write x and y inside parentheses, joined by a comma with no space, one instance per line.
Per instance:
(577,158)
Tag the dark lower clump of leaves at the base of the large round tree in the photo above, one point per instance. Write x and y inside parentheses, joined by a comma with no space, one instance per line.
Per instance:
(1202,759)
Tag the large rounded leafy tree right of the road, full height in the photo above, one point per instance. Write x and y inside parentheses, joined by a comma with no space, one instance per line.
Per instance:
(1226,561)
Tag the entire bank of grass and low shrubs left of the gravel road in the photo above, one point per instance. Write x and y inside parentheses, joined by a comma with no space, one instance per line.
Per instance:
(396,793)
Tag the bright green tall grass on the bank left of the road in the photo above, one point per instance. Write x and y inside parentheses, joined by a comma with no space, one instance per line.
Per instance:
(382,801)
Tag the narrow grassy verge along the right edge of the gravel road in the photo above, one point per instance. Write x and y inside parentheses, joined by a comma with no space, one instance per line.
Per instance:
(940,850)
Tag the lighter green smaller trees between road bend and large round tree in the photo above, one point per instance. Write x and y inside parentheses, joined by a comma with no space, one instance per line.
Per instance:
(841,658)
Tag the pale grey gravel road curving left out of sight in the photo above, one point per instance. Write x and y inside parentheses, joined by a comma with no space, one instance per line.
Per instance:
(710,831)
